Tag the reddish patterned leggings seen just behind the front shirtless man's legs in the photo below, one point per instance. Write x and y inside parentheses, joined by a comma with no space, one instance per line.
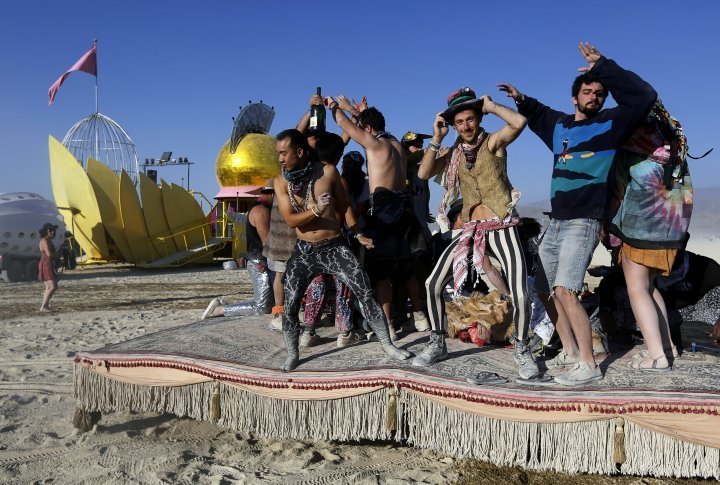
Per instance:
(316,300)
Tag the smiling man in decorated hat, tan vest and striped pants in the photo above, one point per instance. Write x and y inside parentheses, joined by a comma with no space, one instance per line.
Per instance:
(476,167)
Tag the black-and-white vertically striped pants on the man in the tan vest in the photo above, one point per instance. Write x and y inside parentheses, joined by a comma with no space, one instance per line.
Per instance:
(505,246)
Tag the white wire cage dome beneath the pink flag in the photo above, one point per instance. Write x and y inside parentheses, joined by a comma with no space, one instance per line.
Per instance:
(101,138)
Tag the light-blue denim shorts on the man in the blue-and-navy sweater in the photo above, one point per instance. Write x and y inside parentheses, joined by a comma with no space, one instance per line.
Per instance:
(565,253)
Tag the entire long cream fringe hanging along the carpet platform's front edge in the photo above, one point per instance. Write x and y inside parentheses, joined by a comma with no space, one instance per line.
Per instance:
(576,447)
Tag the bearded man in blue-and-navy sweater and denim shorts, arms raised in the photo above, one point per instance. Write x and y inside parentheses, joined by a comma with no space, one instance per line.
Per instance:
(584,145)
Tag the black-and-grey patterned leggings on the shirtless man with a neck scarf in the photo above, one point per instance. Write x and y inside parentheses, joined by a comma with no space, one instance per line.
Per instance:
(331,257)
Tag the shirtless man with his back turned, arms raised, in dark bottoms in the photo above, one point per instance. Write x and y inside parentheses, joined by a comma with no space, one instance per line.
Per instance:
(391,223)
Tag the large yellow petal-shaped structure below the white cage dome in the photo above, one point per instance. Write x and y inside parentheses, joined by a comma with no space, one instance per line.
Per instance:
(110,223)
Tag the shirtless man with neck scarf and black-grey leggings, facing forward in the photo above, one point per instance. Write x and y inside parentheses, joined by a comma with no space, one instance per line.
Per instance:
(311,199)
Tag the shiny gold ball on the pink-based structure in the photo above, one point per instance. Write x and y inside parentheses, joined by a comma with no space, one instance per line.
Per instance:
(254,161)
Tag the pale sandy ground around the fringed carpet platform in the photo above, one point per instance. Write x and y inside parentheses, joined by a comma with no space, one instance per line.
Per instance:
(97,306)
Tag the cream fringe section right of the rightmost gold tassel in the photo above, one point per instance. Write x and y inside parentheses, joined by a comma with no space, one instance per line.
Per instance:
(659,455)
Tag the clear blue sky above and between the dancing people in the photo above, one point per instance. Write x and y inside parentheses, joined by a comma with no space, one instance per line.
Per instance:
(174,73)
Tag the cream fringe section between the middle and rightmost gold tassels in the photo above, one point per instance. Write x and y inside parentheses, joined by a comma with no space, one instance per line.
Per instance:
(582,447)
